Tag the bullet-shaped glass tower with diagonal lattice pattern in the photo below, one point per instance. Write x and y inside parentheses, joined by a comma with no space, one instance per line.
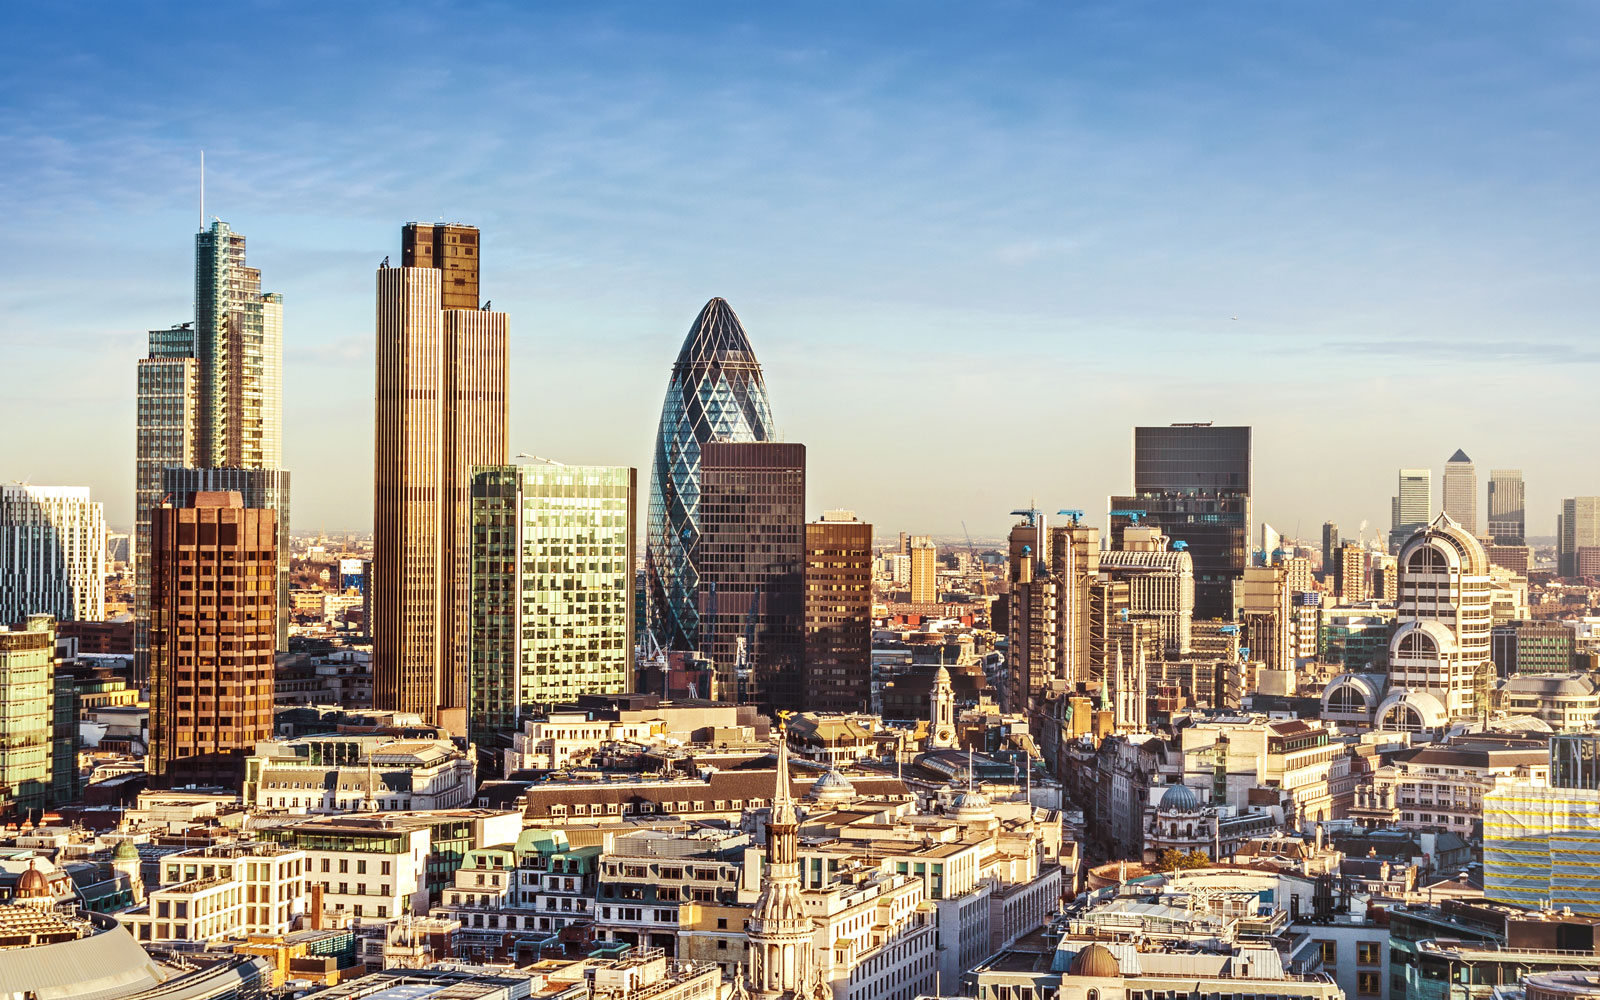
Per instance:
(716,396)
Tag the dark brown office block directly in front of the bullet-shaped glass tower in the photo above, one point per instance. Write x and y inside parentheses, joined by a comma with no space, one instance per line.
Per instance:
(753,570)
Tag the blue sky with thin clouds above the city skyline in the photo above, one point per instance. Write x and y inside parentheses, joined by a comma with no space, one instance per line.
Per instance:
(974,246)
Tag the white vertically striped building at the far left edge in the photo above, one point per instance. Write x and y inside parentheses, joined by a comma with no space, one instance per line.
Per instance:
(52,554)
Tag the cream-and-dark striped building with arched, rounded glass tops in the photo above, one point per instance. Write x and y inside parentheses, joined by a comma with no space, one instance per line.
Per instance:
(1441,666)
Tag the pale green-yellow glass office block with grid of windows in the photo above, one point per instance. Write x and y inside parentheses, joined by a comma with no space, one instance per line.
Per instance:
(553,590)
